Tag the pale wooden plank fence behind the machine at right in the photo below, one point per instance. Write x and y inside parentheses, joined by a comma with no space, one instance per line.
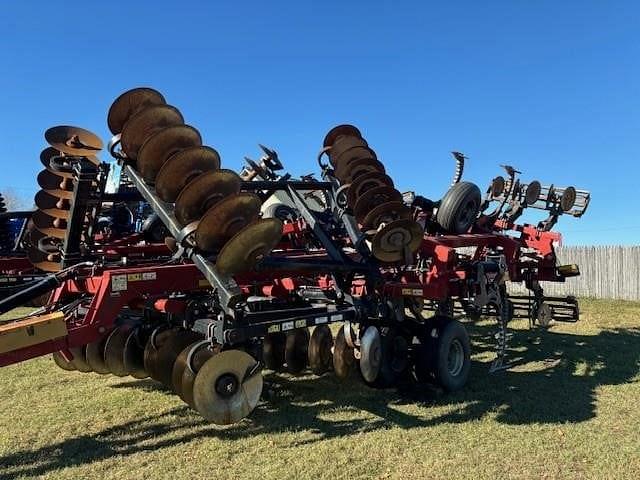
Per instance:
(605,272)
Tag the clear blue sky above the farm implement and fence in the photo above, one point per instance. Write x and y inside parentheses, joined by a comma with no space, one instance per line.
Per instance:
(550,87)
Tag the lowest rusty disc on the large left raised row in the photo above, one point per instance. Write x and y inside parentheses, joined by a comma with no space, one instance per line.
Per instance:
(249,246)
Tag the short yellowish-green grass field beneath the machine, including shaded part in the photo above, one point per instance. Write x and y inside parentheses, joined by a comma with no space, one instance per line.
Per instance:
(569,408)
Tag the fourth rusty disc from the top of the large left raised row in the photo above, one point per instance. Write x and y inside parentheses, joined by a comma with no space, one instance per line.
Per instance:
(182,167)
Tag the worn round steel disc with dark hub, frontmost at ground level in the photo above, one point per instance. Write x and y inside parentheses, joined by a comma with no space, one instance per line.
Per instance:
(228,387)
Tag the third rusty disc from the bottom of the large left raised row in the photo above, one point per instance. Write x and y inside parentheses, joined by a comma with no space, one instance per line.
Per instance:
(203,192)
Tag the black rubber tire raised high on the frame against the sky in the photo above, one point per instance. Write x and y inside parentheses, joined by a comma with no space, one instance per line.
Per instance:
(459,208)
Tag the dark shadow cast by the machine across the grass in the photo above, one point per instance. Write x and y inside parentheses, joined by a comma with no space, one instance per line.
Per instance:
(561,387)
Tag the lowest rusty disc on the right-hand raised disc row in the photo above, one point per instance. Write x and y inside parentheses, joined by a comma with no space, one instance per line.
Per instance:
(390,242)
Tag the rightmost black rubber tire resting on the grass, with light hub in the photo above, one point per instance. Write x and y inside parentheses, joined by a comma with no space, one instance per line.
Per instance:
(453,332)
